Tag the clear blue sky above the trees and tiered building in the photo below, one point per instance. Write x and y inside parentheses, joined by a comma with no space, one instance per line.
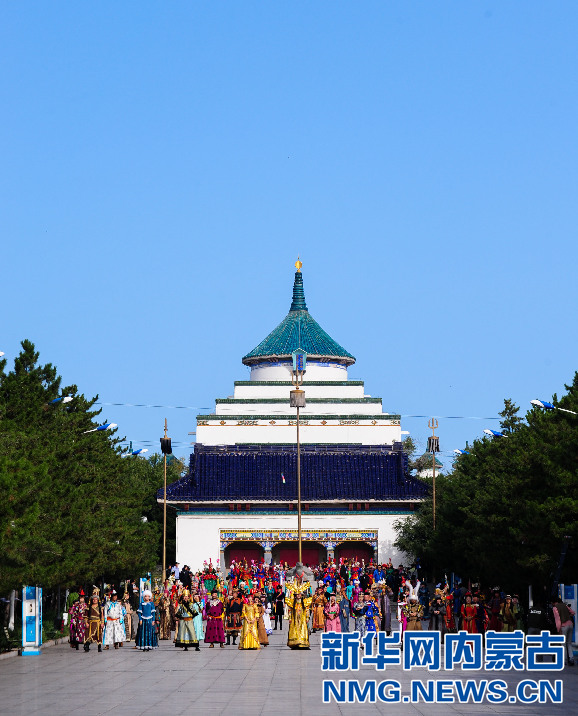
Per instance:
(164,163)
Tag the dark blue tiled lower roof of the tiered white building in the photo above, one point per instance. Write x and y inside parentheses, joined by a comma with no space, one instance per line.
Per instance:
(328,472)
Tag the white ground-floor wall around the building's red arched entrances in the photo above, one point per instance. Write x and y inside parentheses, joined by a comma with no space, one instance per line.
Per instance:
(198,536)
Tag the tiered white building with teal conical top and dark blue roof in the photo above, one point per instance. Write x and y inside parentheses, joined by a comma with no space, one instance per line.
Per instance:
(239,497)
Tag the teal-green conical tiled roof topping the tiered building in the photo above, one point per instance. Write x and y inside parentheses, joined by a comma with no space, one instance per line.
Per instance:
(298,330)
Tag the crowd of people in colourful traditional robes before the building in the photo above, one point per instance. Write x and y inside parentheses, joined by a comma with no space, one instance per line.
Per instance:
(244,605)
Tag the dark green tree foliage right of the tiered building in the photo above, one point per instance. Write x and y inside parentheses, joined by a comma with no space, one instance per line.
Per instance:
(502,513)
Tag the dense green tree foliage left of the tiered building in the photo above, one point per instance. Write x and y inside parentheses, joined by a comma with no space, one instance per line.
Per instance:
(72,509)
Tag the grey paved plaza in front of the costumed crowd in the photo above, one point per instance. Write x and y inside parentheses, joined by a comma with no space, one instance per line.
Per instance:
(274,680)
